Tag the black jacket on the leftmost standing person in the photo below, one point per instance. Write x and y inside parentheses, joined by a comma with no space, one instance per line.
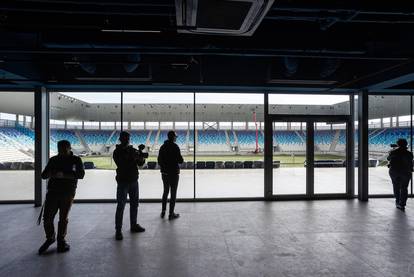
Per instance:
(72,169)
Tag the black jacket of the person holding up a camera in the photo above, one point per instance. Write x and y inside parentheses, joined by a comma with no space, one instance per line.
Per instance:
(127,161)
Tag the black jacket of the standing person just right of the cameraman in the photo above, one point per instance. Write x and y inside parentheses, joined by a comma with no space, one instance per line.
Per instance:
(169,158)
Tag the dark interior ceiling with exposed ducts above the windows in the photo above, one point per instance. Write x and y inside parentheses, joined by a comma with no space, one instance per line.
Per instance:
(284,45)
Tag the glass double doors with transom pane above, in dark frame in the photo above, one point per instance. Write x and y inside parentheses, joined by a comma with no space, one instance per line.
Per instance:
(289,143)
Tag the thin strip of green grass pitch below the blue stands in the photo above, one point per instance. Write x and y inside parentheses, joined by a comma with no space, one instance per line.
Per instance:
(291,161)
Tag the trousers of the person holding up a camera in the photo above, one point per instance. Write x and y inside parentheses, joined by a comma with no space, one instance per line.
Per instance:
(122,191)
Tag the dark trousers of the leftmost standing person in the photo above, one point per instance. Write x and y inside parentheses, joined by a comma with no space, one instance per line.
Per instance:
(55,202)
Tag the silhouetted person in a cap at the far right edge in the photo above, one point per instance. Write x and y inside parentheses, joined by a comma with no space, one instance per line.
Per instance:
(401,166)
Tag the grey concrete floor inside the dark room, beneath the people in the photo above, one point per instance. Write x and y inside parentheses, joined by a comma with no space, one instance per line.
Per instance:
(295,238)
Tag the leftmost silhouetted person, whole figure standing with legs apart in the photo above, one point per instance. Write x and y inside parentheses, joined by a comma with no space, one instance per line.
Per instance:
(63,172)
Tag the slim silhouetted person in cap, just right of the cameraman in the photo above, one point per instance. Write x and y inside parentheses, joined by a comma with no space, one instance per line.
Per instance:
(169,158)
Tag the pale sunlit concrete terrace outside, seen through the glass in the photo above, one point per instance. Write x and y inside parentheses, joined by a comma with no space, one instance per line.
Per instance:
(18,185)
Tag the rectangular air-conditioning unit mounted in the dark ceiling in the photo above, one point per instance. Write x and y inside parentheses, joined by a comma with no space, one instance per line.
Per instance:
(226,17)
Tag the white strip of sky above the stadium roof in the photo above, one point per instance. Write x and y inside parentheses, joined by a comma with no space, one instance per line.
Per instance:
(206,98)
